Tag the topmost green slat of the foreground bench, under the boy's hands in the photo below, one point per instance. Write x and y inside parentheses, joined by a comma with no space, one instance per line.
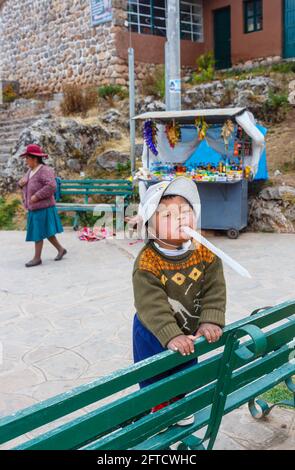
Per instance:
(49,410)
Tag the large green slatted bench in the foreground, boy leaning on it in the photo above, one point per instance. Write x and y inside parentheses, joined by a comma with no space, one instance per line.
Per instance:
(252,356)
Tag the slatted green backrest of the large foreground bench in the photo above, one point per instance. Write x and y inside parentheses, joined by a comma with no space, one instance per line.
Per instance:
(110,426)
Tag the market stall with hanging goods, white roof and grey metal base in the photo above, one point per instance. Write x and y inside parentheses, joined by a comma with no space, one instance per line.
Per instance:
(220,149)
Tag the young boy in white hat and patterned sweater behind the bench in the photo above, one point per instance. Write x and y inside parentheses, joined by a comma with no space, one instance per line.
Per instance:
(179,286)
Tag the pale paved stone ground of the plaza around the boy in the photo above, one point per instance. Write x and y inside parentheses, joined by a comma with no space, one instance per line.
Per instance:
(67,323)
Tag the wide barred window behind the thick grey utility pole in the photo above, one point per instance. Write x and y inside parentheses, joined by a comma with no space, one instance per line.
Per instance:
(149,17)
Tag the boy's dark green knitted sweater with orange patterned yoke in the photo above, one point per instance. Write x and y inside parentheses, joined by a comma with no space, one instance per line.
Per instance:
(173,295)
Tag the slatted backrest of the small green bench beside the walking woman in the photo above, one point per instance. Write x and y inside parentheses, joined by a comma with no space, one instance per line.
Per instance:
(88,188)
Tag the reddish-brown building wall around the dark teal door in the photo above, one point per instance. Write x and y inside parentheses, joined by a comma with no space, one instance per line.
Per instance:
(265,43)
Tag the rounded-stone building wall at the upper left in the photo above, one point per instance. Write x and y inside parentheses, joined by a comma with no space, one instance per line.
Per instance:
(46,43)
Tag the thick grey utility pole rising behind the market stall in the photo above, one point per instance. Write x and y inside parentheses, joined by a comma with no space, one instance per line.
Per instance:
(173,36)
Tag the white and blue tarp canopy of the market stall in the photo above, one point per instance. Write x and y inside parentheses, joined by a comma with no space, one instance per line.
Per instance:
(210,150)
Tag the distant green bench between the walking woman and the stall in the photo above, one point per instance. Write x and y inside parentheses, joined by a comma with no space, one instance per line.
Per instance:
(120,191)
